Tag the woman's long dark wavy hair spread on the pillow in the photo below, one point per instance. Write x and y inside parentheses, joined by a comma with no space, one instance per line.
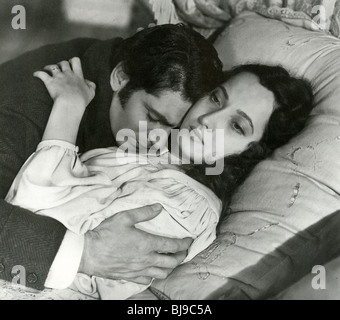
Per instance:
(293,104)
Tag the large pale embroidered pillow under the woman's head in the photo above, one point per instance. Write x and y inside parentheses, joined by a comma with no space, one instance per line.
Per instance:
(284,218)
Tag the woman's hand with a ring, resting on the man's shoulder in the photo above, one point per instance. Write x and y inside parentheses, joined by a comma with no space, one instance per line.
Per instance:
(66,84)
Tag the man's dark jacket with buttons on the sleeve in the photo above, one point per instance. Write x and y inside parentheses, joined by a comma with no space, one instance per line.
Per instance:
(27,239)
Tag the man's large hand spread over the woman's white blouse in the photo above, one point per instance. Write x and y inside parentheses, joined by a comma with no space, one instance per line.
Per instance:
(116,249)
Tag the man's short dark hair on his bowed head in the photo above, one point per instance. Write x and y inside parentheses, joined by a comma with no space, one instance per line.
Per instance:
(169,57)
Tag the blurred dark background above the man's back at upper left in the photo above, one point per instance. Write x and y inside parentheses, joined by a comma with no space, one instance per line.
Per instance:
(46,22)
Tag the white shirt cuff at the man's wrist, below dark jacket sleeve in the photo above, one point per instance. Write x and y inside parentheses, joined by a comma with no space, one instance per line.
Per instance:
(66,263)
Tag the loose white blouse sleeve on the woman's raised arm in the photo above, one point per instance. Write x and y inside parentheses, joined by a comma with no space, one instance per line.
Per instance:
(54,182)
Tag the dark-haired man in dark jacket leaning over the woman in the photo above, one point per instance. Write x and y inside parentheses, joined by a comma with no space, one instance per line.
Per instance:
(154,76)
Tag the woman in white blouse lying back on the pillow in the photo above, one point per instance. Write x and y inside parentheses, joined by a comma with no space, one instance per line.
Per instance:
(255,110)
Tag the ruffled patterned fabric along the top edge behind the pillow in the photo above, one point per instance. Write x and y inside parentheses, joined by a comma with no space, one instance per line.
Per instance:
(323,15)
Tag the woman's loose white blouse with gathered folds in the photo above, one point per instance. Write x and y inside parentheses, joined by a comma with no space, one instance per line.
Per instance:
(81,192)
